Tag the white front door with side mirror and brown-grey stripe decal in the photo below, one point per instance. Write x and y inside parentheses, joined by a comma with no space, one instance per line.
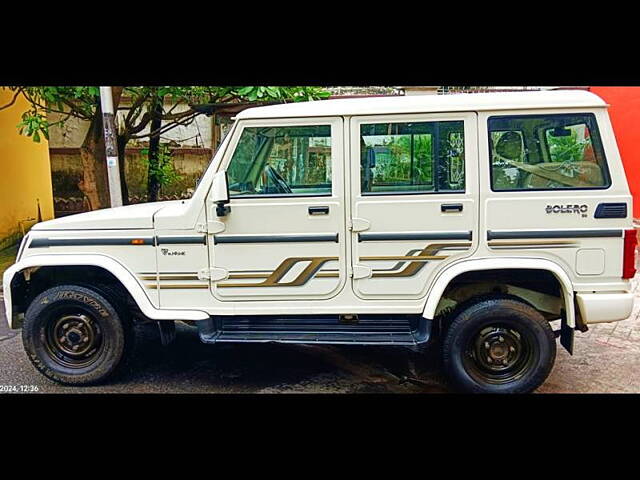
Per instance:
(284,236)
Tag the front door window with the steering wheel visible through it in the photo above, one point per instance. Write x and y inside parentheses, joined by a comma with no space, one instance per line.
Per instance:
(281,161)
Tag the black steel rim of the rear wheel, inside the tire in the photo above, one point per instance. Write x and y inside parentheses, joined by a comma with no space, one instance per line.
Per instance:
(499,353)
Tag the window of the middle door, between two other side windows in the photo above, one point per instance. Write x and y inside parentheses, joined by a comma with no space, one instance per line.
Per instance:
(412,157)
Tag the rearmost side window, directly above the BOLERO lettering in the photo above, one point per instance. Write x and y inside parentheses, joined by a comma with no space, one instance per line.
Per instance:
(547,152)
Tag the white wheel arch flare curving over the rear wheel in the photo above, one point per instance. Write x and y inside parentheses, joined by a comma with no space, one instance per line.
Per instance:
(446,276)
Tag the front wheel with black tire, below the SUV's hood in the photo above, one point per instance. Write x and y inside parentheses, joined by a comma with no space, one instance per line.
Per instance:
(75,336)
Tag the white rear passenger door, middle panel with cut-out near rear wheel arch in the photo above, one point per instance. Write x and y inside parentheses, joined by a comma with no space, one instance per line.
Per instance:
(414,200)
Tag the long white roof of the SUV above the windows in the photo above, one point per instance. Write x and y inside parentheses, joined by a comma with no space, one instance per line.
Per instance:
(470,102)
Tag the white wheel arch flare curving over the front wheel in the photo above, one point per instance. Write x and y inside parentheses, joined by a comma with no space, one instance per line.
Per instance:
(127,278)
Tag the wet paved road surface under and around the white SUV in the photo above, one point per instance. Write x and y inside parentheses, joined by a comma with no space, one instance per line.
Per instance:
(606,359)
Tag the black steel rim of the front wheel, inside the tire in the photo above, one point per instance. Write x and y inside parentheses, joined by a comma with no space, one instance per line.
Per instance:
(73,338)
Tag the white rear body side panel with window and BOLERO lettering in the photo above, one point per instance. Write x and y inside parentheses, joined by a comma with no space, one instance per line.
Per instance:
(555,189)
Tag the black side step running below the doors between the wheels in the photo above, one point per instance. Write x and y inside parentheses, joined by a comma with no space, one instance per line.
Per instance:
(326,329)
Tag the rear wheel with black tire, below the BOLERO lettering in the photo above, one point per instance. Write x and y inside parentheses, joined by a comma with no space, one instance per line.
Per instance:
(498,344)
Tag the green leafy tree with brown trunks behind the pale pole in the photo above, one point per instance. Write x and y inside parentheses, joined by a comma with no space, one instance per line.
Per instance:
(147,116)
